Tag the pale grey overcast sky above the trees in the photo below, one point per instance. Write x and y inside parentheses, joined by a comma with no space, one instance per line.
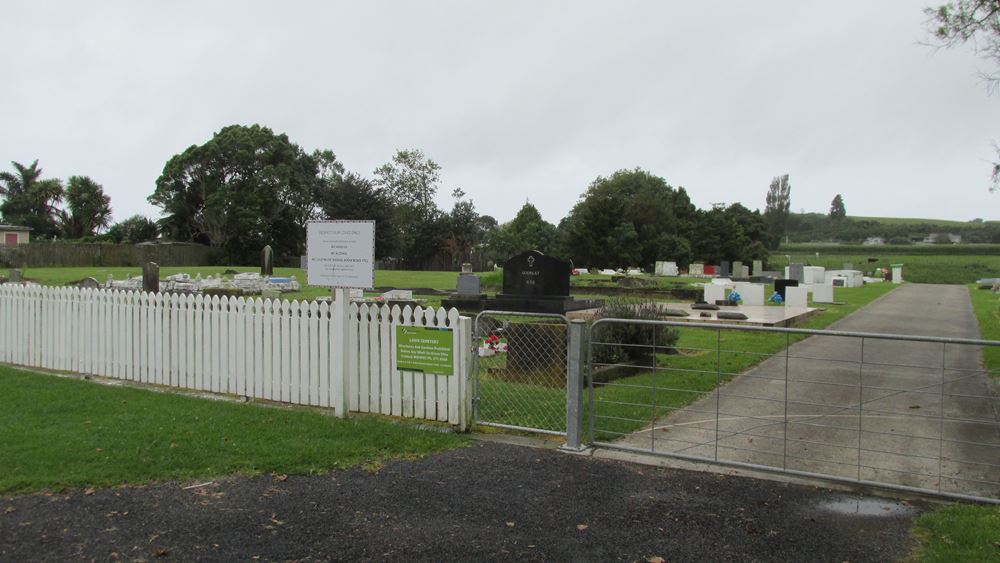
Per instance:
(517,101)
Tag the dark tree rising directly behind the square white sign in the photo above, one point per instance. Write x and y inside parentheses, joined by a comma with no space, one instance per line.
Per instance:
(352,197)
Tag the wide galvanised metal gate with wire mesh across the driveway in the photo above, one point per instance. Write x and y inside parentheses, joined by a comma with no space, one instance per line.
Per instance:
(905,412)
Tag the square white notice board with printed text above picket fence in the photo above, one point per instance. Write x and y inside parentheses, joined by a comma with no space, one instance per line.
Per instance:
(341,253)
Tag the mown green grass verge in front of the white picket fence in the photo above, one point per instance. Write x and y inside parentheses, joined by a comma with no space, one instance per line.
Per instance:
(61,433)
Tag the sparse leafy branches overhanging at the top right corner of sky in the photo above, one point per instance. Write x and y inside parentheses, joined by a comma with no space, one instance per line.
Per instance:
(961,21)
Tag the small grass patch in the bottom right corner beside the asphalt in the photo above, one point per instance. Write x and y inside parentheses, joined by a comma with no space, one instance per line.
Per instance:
(958,532)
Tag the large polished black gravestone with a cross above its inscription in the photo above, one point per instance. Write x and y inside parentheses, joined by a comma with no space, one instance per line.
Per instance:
(536,283)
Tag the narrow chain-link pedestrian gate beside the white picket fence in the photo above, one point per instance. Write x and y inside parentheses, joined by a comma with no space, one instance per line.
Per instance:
(521,371)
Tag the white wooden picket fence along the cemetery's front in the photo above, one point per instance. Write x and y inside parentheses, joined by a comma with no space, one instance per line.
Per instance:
(283,351)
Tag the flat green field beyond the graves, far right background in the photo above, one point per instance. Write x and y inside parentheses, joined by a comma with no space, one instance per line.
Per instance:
(917,268)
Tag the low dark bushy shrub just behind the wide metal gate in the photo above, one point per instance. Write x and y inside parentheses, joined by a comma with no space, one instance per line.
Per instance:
(618,343)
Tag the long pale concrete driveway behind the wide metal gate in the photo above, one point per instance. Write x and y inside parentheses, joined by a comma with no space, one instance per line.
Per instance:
(877,420)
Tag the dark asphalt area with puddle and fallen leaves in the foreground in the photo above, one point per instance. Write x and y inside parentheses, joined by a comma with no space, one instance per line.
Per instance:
(489,501)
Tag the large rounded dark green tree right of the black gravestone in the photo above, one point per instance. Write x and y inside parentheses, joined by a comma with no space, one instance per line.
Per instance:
(630,218)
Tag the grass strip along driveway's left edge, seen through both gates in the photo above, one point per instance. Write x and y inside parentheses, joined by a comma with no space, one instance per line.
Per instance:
(628,404)
